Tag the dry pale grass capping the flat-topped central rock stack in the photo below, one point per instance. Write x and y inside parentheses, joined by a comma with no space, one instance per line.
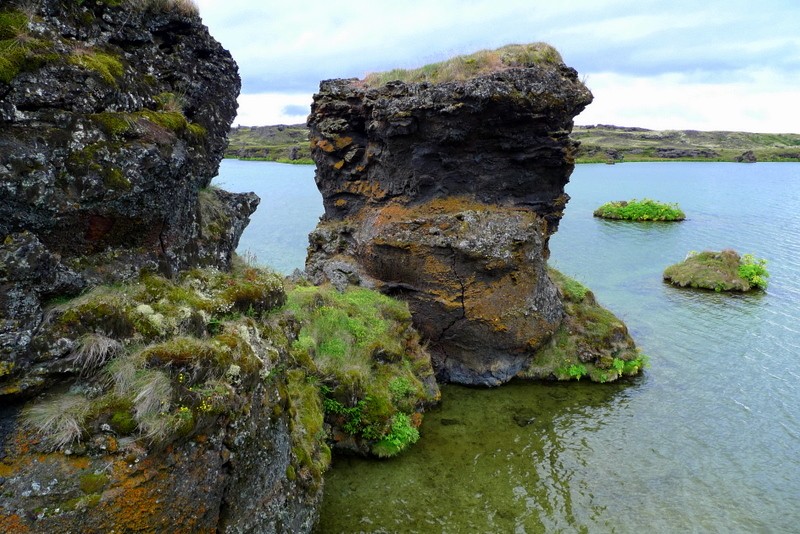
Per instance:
(480,63)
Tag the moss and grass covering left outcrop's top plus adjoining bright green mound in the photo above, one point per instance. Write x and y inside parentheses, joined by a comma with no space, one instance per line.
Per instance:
(161,360)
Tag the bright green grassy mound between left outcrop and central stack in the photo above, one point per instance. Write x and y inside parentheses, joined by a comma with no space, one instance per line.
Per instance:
(368,359)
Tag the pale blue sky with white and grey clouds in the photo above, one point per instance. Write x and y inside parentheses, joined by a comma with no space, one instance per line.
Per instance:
(677,64)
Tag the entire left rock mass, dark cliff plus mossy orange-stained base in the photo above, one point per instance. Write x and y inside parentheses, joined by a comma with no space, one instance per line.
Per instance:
(150,404)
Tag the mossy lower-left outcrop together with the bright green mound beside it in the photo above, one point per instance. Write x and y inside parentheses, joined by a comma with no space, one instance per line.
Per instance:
(210,402)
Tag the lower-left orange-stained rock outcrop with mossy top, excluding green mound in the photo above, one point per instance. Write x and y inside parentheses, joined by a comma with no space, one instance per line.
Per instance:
(174,410)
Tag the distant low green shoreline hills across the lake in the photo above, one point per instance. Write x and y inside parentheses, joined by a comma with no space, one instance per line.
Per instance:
(599,144)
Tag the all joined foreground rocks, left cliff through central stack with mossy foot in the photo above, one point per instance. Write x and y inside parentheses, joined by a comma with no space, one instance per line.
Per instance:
(151,380)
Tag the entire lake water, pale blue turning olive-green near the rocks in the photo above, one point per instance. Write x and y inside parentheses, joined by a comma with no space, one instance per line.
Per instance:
(707,440)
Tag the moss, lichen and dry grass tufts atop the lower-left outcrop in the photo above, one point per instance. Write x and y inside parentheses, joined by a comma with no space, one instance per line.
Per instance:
(158,359)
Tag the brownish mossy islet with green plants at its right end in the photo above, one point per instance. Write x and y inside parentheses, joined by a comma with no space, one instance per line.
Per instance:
(720,271)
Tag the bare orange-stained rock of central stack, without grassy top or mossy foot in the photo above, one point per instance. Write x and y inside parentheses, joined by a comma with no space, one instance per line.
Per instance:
(446,195)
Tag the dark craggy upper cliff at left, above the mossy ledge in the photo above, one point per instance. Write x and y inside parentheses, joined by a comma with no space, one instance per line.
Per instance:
(113,120)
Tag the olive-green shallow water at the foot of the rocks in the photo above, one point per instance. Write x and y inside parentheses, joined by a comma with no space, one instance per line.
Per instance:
(489,461)
